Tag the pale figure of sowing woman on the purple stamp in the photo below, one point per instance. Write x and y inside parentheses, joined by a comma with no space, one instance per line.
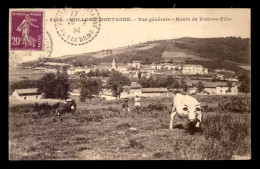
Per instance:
(27,40)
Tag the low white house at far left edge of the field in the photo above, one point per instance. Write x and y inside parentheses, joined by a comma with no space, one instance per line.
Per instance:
(27,94)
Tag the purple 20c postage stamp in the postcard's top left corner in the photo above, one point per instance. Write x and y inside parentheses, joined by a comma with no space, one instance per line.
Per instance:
(26,30)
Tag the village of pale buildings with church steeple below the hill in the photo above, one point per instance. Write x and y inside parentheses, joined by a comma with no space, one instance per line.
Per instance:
(214,82)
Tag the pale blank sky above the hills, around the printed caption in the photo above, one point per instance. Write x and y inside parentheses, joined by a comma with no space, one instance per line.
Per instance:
(123,33)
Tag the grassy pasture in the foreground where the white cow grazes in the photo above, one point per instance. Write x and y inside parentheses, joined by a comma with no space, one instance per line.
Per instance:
(100,133)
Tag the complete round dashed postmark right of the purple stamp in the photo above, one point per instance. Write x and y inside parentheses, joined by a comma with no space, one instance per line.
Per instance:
(76,27)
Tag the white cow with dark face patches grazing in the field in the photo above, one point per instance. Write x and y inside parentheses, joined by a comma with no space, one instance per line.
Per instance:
(186,106)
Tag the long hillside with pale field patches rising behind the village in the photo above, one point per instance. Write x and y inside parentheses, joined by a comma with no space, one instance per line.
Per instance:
(191,50)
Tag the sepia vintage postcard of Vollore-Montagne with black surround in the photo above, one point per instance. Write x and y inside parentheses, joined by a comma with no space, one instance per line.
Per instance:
(129,84)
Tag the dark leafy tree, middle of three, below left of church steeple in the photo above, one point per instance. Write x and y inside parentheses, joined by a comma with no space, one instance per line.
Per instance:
(89,87)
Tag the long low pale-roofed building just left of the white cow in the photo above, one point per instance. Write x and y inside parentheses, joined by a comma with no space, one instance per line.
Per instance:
(152,92)
